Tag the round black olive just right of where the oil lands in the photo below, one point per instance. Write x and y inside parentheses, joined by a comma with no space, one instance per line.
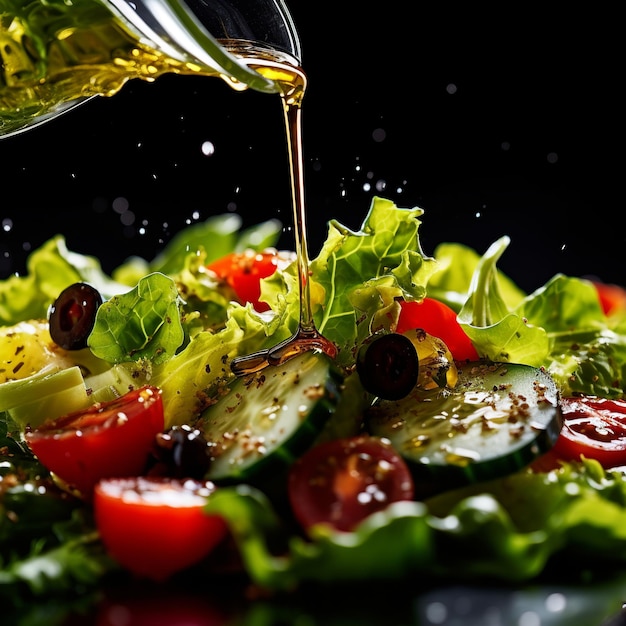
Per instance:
(388,366)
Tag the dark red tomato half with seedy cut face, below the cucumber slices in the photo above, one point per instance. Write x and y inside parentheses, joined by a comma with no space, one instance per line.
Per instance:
(343,481)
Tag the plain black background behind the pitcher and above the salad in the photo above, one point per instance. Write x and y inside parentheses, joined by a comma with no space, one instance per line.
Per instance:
(494,123)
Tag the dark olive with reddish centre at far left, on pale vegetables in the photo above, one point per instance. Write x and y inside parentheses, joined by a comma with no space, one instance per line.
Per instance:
(73,314)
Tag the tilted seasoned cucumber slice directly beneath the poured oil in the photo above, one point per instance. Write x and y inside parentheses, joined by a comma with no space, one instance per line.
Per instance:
(269,418)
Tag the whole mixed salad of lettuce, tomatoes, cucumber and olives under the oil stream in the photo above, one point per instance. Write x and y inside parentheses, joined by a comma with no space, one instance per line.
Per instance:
(465,430)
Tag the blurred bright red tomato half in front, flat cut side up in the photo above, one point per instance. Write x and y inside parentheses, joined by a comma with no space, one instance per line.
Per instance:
(156,526)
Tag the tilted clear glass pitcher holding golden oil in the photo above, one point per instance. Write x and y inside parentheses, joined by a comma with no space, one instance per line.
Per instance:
(56,54)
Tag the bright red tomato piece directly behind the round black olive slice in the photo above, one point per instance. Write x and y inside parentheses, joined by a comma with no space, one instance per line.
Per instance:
(438,320)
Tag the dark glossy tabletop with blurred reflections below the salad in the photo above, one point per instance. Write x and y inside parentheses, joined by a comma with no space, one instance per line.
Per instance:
(207,602)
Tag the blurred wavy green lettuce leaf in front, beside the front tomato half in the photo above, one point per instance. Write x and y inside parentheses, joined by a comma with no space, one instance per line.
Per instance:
(367,554)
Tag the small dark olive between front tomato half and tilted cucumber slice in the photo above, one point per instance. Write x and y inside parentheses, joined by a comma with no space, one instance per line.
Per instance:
(182,452)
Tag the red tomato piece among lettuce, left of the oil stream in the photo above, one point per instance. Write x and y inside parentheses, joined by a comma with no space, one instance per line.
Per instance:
(243,271)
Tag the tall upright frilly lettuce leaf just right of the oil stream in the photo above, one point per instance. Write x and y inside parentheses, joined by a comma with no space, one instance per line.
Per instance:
(358,275)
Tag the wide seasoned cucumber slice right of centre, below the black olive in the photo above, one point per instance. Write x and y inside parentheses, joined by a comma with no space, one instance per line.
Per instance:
(496,420)
